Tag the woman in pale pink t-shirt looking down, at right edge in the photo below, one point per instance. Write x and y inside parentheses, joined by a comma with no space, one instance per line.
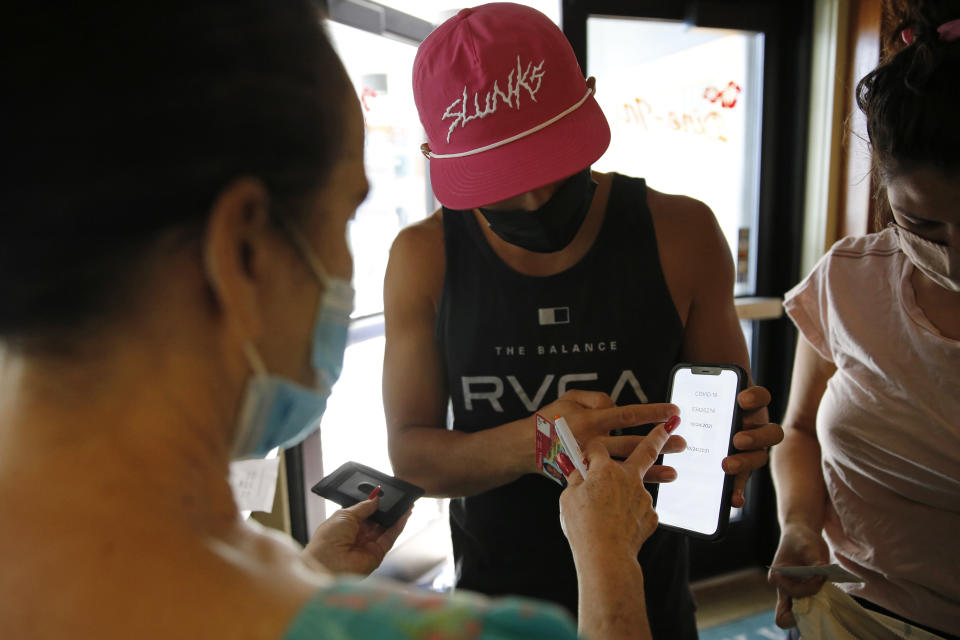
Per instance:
(868,474)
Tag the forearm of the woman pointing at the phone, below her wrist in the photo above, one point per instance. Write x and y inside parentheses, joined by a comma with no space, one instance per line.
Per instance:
(612,603)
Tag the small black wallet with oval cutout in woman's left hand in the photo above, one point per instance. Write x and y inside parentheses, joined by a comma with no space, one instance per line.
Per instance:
(354,482)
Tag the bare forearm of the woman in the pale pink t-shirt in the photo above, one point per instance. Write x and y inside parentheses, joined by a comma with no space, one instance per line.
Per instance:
(798,479)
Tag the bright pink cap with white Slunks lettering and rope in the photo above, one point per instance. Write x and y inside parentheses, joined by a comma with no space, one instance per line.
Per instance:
(504,104)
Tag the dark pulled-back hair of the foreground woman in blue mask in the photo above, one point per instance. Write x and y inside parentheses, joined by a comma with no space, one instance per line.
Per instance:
(122,120)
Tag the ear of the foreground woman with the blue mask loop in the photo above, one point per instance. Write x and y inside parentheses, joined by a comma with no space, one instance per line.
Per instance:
(237,249)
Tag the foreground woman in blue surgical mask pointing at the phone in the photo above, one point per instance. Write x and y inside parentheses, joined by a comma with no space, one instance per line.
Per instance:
(174,274)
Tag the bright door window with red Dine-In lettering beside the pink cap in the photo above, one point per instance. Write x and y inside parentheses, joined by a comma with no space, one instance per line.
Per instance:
(691,98)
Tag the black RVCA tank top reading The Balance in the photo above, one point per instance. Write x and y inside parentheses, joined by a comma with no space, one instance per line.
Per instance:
(513,343)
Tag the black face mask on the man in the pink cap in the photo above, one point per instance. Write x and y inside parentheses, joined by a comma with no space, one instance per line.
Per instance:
(551,227)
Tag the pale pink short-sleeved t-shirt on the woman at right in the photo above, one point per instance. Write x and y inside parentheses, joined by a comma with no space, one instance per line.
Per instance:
(889,429)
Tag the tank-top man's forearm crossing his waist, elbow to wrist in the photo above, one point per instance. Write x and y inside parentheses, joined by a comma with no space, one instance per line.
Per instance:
(454,463)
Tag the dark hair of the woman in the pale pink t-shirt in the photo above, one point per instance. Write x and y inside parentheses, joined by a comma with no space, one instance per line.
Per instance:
(910,99)
